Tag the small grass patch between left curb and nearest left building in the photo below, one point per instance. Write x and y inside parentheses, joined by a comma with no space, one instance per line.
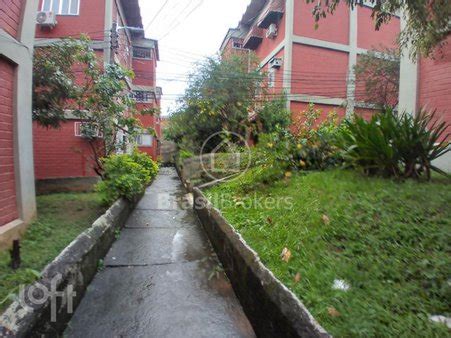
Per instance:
(61,218)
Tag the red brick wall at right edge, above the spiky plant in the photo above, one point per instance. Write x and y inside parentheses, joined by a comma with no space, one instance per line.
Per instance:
(435,83)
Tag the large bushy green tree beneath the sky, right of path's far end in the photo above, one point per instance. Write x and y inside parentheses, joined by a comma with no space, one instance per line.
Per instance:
(220,95)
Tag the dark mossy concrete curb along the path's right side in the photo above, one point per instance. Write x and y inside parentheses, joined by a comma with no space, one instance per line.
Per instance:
(271,307)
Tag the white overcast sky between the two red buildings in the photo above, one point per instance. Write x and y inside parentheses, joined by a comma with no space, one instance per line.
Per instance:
(187,30)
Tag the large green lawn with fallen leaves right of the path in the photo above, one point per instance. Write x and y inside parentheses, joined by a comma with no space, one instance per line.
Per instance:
(389,241)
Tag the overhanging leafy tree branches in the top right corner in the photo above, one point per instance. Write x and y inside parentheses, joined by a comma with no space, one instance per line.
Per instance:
(428,21)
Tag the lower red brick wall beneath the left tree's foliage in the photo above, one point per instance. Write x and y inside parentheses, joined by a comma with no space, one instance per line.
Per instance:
(58,153)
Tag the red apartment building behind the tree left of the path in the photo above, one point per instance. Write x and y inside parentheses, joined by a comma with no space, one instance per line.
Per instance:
(63,153)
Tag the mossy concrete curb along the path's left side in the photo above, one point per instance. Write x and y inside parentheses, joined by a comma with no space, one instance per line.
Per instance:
(76,266)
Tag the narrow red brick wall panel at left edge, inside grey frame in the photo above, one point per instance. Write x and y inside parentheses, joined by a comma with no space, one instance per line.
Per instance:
(8,203)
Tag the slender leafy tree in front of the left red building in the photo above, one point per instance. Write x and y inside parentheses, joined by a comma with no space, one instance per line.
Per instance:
(98,97)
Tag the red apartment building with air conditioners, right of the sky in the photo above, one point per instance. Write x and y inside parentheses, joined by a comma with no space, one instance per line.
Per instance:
(310,65)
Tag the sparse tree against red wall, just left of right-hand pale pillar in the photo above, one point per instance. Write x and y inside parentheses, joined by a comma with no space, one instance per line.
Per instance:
(380,75)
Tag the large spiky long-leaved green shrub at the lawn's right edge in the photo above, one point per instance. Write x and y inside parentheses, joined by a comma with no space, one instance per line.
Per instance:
(394,146)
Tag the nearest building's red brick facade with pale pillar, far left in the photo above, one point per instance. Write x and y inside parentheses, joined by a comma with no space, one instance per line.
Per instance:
(17,192)
